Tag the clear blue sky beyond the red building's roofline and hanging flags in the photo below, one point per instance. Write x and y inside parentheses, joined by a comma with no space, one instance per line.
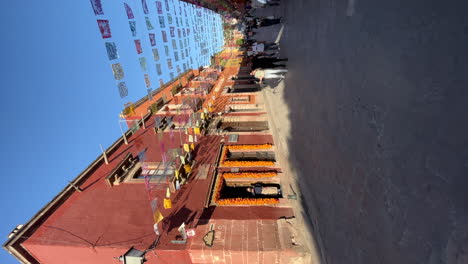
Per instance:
(60,98)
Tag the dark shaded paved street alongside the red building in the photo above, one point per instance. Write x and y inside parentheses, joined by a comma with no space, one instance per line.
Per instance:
(377,95)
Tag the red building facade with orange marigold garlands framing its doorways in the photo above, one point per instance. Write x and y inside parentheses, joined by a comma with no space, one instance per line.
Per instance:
(107,214)
